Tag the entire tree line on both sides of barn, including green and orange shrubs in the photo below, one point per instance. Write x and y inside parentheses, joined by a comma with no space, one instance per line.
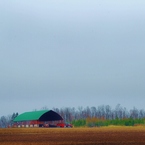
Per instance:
(92,116)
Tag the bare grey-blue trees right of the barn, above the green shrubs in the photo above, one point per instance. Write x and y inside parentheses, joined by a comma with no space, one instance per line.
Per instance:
(103,111)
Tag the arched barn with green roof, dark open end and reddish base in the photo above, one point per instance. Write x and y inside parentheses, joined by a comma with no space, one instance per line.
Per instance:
(43,118)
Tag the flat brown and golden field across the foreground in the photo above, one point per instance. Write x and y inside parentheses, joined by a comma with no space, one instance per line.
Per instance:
(73,136)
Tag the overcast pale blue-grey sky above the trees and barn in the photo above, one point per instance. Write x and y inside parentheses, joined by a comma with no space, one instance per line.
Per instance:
(60,53)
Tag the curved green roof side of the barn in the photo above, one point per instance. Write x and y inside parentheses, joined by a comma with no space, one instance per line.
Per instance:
(34,115)
